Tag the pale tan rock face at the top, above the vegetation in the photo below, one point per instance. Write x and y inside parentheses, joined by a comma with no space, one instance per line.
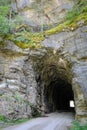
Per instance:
(46,12)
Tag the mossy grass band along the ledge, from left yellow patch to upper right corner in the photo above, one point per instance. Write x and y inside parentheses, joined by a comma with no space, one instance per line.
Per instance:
(26,39)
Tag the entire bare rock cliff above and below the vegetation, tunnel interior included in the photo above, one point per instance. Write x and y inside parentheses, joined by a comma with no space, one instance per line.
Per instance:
(31,80)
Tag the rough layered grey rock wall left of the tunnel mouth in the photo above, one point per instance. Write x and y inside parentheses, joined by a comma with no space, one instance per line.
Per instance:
(17,83)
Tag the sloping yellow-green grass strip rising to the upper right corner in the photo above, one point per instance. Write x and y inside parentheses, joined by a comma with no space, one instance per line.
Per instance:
(78,13)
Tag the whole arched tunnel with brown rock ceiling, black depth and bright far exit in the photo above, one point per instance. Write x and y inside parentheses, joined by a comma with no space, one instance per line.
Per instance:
(57,78)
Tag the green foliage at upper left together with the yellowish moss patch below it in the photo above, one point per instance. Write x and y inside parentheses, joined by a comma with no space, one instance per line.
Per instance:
(9,29)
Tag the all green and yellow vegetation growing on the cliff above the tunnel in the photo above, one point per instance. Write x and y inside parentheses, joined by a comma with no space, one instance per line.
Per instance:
(27,39)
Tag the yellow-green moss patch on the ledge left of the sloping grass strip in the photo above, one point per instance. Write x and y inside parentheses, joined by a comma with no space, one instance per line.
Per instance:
(27,39)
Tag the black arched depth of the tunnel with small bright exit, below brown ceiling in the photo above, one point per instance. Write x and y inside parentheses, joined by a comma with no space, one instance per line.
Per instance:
(59,95)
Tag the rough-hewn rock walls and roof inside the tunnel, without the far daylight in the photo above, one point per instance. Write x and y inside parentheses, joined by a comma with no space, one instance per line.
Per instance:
(53,77)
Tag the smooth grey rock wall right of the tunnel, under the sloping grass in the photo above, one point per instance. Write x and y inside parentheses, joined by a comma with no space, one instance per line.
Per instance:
(74,48)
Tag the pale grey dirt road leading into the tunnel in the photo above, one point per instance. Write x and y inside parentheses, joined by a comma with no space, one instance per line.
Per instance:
(53,121)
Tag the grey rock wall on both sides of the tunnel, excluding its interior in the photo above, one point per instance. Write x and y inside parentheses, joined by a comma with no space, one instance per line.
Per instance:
(19,86)
